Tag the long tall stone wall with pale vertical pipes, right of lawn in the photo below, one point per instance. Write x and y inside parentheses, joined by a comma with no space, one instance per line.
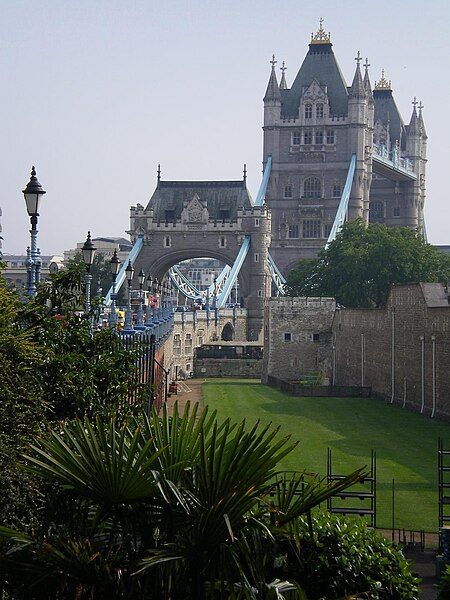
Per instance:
(402,352)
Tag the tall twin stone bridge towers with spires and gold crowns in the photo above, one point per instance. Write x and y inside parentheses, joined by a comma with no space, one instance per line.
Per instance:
(312,129)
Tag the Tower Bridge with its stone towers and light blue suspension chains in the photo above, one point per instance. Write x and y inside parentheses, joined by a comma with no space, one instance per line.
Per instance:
(331,152)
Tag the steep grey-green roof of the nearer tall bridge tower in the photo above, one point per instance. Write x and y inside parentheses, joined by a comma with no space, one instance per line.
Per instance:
(319,64)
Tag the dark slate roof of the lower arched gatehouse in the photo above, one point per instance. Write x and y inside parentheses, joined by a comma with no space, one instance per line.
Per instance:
(219,196)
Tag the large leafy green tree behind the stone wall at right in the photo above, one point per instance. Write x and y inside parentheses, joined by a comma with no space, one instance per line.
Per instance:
(359,267)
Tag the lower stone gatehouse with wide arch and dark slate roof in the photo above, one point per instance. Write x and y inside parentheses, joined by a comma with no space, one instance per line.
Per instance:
(194,219)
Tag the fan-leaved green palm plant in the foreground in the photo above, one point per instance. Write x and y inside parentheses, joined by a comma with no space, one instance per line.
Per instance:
(163,507)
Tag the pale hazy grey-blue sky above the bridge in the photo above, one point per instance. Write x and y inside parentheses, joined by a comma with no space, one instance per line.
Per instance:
(96,93)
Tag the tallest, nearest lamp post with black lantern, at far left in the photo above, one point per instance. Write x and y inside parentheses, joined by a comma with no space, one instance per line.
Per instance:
(33,194)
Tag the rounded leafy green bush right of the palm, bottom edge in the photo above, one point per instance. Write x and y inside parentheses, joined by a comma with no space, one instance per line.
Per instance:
(342,556)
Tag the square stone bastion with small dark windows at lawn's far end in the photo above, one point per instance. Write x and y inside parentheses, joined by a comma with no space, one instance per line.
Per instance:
(298,338)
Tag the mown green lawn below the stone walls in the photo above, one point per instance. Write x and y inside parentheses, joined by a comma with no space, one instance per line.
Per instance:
(405,443)
